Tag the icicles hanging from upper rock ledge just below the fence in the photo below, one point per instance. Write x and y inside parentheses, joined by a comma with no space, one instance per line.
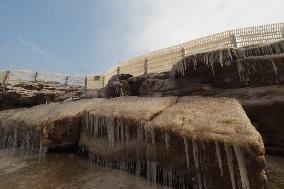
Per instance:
(229,55)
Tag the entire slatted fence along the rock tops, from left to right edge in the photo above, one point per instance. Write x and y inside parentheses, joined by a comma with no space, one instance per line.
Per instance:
(160,60)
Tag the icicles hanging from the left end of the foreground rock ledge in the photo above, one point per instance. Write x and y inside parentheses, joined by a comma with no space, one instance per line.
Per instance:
(25,138)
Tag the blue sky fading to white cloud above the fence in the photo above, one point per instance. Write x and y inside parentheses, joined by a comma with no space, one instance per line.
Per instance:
(89,36)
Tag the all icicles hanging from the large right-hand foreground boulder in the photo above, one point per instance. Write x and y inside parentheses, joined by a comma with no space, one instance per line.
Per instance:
(117,130)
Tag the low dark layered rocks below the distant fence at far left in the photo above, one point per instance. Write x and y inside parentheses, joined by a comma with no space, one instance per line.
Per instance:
(30,94)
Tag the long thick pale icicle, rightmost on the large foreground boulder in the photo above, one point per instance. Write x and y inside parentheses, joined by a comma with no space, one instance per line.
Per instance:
(242,167)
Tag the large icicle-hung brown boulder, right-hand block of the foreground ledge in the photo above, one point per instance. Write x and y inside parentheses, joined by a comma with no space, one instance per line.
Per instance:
(190,143)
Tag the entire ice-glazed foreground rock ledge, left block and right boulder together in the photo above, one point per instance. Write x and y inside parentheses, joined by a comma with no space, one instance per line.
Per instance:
(189,142)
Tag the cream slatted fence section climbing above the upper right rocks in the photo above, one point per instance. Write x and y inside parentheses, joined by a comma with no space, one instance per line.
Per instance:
(163,60)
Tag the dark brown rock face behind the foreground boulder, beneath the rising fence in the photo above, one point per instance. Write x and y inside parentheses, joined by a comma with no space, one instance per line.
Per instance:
(253,75)
